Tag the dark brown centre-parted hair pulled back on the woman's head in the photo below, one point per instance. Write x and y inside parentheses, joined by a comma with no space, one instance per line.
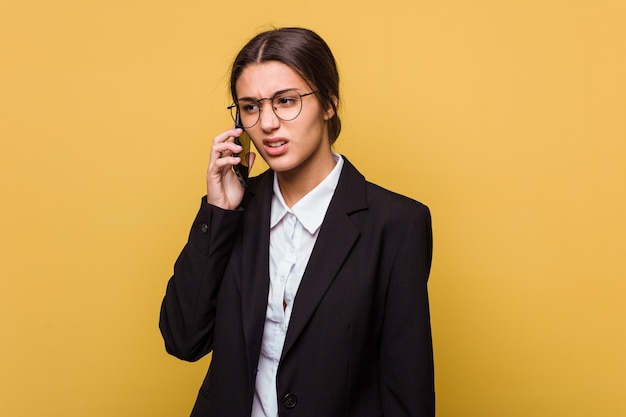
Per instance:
(306,53)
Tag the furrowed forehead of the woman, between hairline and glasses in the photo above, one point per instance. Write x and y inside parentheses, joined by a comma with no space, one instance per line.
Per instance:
(264,79)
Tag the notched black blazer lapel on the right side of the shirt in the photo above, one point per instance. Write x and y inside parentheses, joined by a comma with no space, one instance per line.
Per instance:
(336,238)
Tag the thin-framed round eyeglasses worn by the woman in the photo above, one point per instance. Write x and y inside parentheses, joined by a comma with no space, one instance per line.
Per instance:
(286,104)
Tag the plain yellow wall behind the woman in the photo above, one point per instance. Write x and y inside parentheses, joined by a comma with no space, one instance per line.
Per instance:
(507,118)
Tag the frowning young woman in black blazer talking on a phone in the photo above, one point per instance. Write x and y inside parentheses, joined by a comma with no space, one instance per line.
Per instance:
(310,284)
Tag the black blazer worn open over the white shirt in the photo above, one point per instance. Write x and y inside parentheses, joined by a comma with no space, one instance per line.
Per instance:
(359,338)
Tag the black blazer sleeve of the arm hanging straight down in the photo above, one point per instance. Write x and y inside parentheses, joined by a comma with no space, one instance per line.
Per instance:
(407,374)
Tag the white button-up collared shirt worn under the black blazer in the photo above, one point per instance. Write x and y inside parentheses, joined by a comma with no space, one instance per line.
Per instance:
(293,232)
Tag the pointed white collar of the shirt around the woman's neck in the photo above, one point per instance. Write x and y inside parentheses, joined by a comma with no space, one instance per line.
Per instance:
(311,208)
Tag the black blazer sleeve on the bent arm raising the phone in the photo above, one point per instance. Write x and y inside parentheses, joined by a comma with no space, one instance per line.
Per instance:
(187,317)
